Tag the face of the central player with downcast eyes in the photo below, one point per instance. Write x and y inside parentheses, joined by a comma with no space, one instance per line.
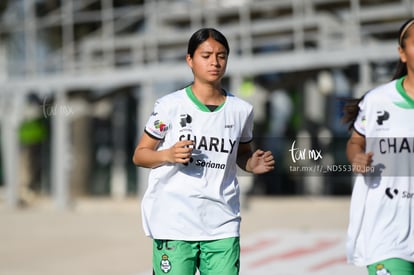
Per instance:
(208,62)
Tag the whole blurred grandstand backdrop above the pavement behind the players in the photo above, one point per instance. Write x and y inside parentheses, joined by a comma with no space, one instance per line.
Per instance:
(78,79)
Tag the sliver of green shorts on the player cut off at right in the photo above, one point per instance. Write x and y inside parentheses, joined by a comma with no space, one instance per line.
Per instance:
(392,266)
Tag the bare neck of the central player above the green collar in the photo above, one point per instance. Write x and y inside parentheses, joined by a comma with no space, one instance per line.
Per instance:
(208,94)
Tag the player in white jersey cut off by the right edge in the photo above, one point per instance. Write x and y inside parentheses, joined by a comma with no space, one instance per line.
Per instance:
(381,150)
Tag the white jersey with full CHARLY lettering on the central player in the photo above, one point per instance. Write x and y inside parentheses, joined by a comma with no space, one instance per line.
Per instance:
(198,200)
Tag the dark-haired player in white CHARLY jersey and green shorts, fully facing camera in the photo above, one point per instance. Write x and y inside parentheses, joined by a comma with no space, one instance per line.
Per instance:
(193,142)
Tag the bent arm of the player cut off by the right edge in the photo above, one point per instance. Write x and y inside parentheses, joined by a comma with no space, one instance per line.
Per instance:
(355,152)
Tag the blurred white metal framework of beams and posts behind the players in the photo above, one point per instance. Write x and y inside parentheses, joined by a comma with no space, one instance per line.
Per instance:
(105,44)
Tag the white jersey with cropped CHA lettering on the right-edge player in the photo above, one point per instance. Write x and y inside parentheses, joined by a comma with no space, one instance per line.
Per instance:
(382,214)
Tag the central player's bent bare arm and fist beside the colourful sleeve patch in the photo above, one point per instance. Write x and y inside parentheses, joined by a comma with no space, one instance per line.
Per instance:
(147,155)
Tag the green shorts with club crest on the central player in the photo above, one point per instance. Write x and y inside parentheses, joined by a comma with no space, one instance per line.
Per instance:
(185,257)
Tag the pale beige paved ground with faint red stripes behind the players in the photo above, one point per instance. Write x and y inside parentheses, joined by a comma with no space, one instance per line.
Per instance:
(280,235)
